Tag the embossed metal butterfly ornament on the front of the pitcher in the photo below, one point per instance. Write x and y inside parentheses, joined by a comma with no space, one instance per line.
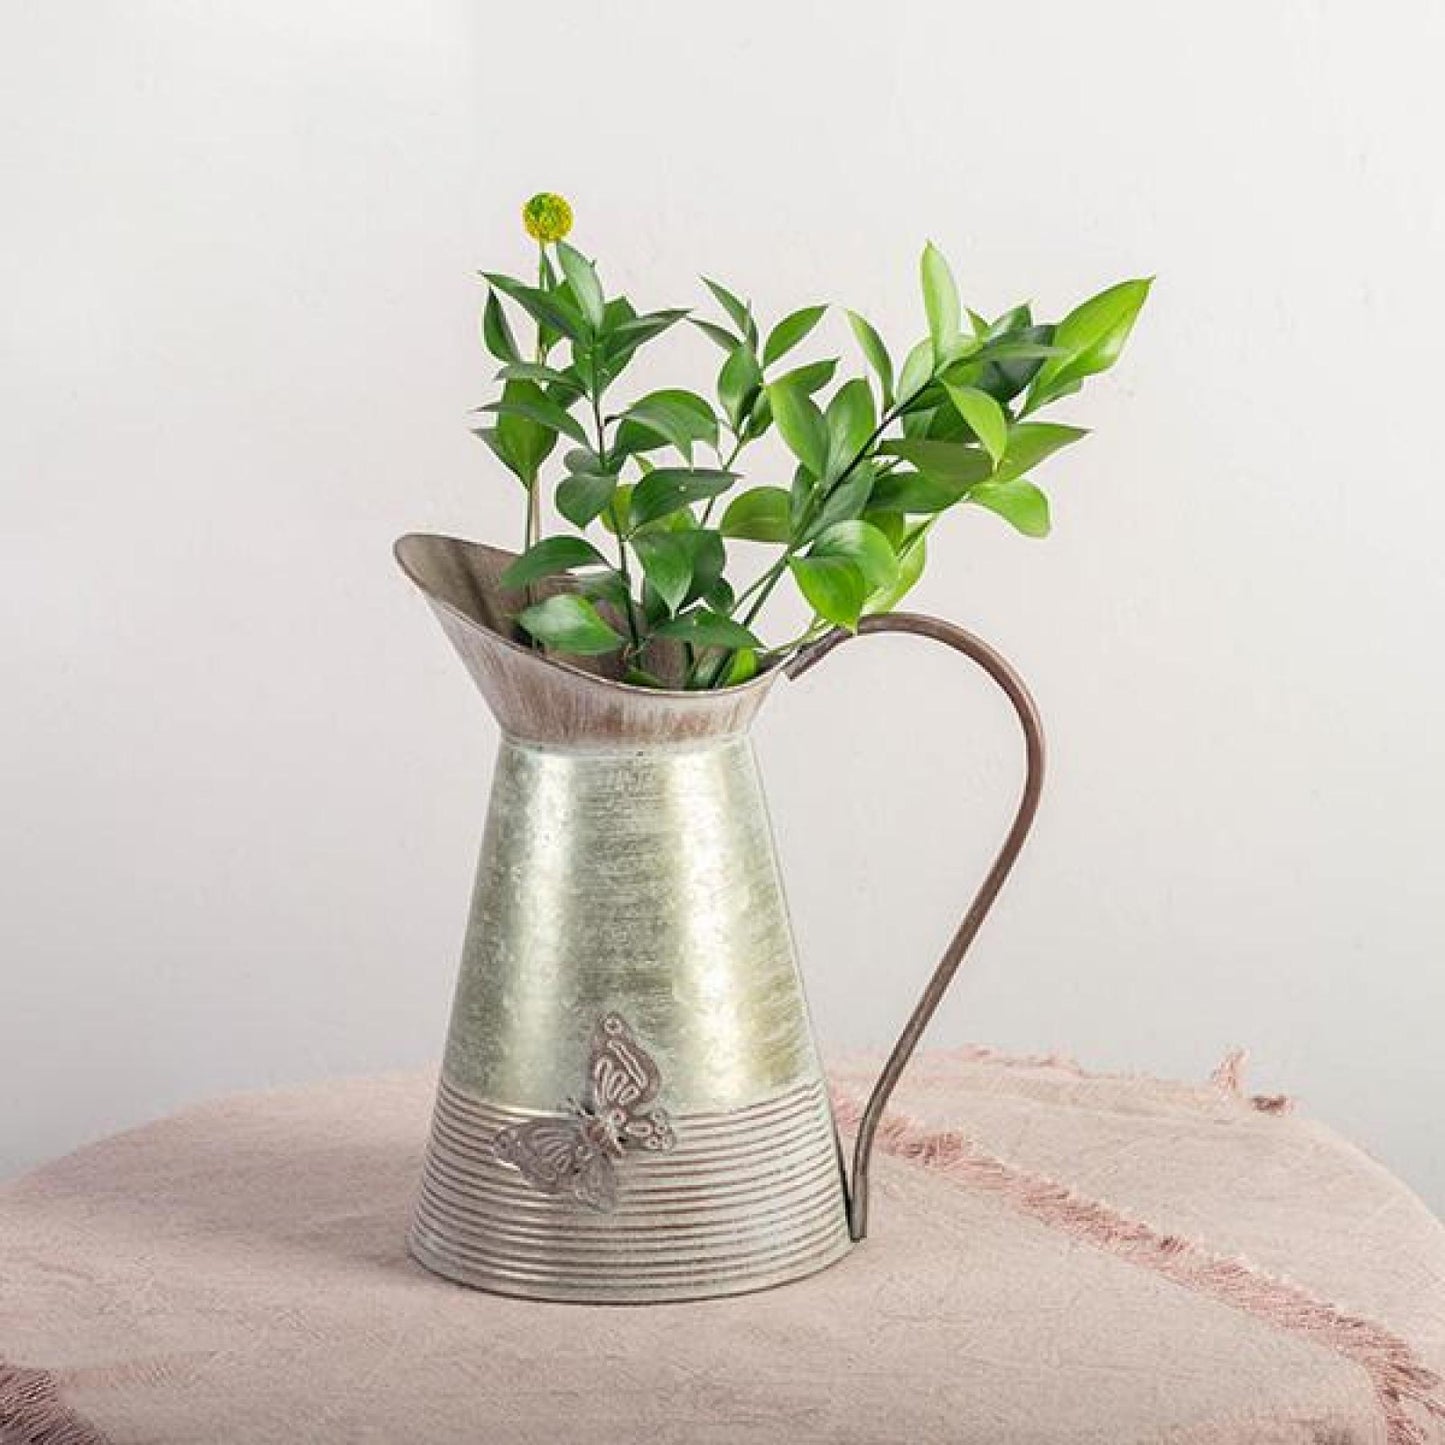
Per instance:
(576,1154)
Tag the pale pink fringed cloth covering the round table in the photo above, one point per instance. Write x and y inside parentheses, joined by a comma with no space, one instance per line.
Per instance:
(1054,1258)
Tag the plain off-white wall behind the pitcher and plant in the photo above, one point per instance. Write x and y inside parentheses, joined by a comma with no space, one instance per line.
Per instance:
(243,778)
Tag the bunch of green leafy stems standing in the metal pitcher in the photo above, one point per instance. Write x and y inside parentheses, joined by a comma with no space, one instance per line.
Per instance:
(875,462)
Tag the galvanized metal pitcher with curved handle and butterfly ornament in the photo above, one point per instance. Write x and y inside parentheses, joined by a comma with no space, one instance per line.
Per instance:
(632,1106)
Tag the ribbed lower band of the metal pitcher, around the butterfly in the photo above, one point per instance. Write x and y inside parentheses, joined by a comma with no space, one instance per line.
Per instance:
(748,1199)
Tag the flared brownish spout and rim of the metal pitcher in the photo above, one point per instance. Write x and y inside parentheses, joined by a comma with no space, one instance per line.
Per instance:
(538,699)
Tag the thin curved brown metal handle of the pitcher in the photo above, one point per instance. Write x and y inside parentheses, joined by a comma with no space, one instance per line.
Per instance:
(1024,706)
